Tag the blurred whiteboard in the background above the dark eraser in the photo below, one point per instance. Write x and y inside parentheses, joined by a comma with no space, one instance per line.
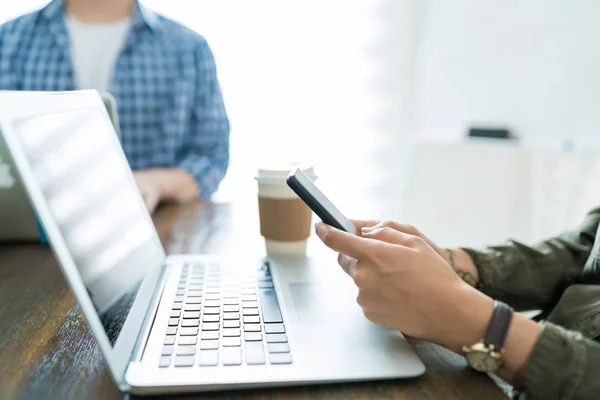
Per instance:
(533,65)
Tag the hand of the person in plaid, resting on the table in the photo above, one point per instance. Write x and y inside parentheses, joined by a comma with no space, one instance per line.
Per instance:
(158,185)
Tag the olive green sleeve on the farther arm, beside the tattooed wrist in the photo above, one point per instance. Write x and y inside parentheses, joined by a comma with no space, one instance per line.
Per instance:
(533,276)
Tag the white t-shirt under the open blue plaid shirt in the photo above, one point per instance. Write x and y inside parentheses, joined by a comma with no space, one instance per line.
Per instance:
(94,51)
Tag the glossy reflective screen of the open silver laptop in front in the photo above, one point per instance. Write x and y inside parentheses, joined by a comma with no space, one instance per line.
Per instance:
(95,205)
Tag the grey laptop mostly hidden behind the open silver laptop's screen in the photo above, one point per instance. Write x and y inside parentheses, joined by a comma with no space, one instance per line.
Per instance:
(18,222)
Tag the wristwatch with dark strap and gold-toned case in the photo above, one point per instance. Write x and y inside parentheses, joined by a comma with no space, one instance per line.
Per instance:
(486,355)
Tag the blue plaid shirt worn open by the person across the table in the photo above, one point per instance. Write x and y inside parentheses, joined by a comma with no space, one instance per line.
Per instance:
(170,105)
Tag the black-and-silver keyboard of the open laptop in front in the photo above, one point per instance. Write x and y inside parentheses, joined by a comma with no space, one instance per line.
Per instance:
(224,320)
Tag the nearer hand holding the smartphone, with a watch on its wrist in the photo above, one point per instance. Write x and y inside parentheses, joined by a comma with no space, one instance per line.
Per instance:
(406,285)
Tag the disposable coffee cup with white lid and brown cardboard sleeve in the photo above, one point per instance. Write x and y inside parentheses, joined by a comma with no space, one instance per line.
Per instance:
(285,221)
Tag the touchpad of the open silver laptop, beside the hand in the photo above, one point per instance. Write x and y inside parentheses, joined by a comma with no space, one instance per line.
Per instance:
(320,302)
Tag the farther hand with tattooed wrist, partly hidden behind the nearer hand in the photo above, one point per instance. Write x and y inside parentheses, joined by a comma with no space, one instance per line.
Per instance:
(458,259)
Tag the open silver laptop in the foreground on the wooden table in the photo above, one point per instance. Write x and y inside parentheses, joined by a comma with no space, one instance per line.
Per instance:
(182,323)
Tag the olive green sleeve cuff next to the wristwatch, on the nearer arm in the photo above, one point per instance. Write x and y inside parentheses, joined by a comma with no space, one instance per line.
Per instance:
(564,365)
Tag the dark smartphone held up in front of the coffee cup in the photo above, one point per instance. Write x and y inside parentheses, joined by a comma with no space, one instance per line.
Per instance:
(305,188)
